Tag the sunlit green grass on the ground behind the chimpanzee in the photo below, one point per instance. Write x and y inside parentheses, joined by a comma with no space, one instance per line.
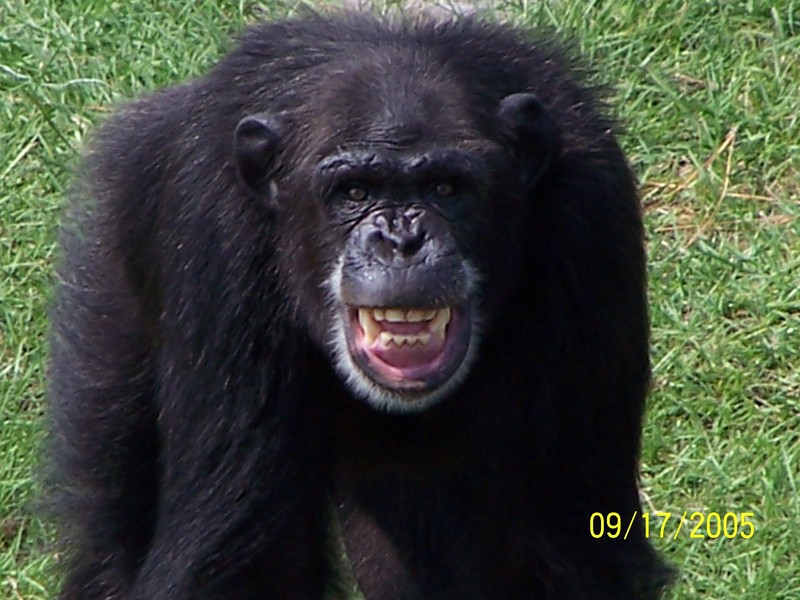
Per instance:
(709,92)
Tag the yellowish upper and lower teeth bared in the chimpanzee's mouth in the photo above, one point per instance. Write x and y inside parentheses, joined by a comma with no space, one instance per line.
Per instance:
(436,321)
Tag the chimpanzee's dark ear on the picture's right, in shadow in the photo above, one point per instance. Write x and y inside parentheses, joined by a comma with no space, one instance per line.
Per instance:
(530,134)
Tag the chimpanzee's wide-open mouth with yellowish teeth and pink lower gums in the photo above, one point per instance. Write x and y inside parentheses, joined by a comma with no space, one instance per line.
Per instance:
(409,349)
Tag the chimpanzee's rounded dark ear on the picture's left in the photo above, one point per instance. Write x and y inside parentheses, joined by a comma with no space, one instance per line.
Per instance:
(255,146)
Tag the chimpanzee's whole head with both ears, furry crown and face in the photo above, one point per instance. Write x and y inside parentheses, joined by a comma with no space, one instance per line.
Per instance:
(392,192)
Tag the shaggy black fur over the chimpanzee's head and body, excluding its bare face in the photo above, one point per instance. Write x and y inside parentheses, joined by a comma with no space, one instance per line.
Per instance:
(201,431)
